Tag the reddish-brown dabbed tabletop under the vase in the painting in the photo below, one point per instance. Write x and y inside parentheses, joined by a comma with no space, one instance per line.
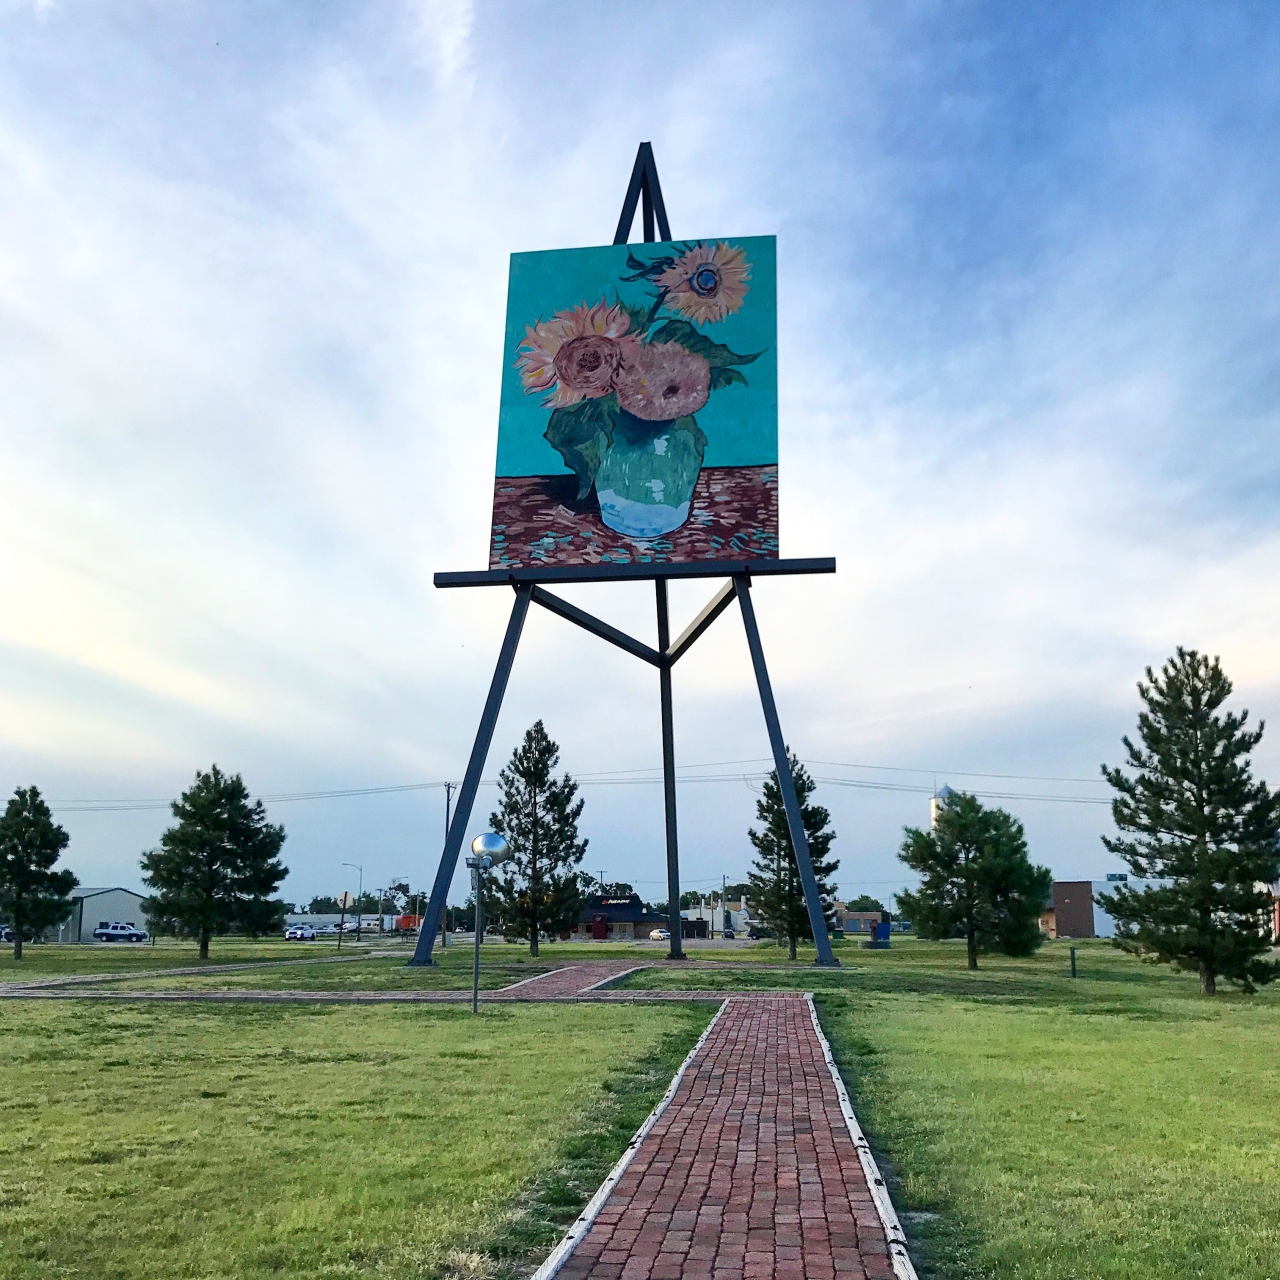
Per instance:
(734,516)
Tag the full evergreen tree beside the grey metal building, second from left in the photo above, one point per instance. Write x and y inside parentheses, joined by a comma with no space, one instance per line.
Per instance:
(217,870)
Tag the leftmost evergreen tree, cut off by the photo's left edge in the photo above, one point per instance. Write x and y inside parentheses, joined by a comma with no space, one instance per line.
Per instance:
(33,895)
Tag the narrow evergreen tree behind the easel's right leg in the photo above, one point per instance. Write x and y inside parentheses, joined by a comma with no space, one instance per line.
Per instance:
(775,889)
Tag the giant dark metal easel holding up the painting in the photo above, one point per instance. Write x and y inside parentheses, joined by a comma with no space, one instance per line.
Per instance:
(531,588)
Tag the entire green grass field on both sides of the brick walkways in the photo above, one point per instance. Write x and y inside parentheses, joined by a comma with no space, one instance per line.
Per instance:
(1113,1127)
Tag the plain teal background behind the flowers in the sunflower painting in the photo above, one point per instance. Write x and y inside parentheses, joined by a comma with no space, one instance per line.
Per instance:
(742,423)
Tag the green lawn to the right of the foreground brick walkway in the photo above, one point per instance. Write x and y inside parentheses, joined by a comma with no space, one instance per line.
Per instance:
(1113,1127)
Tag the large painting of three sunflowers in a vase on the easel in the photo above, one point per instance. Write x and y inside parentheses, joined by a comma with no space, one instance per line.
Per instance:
(639,418)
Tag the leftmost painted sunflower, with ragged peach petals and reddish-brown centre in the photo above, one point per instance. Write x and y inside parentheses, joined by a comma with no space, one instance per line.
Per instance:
(577,354)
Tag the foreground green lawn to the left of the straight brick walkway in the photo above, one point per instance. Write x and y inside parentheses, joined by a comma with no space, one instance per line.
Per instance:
(248,1141)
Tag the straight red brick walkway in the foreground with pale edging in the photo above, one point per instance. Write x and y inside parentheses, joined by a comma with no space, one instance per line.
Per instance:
(751,1173)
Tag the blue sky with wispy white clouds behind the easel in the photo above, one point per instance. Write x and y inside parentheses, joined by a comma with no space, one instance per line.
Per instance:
(253,281)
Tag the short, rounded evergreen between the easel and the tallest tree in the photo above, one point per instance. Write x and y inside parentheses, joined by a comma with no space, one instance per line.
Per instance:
(977,881)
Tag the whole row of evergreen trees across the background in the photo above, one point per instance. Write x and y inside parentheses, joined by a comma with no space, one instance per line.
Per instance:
(1195,826)
